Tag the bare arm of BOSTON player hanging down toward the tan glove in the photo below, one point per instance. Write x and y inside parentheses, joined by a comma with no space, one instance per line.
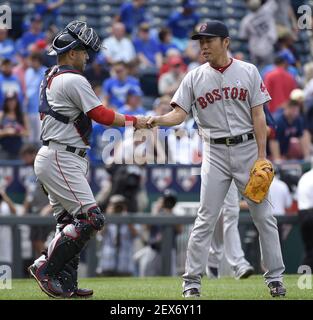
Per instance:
(259,125)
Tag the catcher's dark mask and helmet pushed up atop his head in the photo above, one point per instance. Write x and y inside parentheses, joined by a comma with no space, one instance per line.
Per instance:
(76,35)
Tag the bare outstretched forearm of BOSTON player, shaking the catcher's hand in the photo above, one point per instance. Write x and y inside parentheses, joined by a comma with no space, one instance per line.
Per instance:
(173,118)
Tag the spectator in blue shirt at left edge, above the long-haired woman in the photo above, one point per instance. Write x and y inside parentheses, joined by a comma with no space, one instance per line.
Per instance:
(9,83)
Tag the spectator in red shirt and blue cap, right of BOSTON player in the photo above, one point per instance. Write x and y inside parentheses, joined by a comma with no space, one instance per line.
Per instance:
(279,83)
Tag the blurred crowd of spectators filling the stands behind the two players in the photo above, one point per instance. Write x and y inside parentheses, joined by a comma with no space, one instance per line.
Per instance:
(140,67)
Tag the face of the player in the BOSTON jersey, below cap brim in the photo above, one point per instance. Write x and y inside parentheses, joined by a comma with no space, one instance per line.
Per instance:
(213,48)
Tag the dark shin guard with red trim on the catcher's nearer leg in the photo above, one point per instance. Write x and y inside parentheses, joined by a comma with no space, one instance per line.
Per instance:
(72,239)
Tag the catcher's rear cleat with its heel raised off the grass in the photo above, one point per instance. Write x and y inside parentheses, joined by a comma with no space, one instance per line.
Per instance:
(49,285)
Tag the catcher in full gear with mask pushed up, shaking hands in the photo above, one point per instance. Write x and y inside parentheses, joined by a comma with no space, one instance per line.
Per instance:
(67,106)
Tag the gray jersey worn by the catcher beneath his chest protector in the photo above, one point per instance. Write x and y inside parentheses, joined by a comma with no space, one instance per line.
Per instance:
(69,94)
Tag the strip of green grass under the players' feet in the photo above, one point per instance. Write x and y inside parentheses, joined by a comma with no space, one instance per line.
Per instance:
(164,288)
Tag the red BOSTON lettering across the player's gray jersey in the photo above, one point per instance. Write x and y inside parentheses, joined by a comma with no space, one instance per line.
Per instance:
(226,93)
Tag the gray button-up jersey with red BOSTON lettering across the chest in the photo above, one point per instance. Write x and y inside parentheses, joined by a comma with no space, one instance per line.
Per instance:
(222,101)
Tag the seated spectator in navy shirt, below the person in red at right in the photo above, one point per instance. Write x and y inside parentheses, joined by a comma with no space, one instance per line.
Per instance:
(290,125)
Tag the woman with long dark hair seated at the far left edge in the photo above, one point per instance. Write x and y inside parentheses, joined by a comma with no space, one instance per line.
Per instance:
(13,127)
